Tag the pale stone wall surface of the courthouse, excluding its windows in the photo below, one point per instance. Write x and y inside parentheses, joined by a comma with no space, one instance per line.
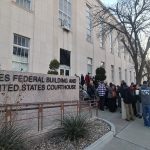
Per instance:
(41,25)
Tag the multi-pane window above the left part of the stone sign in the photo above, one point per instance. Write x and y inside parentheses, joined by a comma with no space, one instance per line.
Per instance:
(20,53)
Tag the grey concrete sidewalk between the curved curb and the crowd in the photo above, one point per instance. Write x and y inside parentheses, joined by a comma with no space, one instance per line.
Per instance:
(129,135)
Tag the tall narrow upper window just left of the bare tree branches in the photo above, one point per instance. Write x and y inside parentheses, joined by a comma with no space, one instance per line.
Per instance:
(89,24)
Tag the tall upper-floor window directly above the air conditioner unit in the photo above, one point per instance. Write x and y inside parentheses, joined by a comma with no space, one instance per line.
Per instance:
(65,12)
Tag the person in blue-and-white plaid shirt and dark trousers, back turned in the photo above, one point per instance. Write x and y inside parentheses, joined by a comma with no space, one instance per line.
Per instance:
(101,93)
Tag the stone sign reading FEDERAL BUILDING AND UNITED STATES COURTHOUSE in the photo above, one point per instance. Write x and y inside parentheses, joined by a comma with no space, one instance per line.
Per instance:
(20,87)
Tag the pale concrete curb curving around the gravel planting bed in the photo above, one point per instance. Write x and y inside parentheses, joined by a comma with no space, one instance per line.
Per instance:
(101,142)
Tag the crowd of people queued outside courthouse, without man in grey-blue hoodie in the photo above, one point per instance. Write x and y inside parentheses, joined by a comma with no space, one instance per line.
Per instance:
(113,97)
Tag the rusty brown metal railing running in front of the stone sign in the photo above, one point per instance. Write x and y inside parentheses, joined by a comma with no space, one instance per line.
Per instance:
(40,111)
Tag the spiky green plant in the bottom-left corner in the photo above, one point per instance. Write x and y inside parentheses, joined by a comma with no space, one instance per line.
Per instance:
(11,137)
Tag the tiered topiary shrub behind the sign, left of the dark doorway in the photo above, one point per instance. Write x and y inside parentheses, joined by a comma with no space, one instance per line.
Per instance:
(53,66)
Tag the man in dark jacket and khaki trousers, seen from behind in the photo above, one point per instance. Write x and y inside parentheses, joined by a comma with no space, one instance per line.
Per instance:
(129,95)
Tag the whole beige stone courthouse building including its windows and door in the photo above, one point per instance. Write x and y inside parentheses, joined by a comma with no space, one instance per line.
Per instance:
(33,32)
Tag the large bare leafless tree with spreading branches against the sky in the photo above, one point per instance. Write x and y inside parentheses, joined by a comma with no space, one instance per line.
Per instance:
(130,20)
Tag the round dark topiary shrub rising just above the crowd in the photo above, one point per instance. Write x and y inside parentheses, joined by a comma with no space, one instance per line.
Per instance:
(100,74)
